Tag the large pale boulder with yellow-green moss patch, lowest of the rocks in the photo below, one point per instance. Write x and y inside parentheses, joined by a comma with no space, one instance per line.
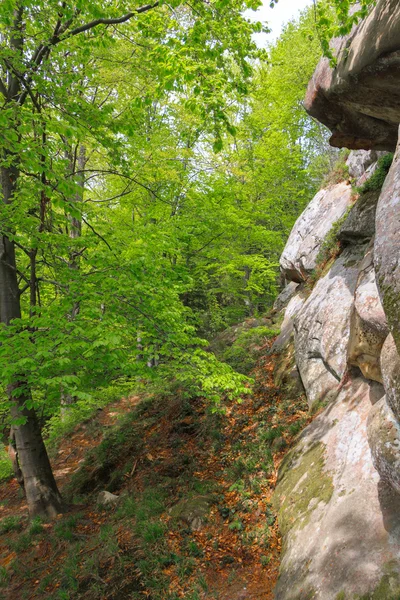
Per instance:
(340,523)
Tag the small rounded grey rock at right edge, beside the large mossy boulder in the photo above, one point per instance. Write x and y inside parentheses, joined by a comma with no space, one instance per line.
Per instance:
(384,441)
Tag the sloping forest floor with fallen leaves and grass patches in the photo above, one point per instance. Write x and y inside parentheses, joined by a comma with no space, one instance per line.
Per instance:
(194,517)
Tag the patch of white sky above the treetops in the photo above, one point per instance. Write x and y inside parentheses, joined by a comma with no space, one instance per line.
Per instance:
(276,17)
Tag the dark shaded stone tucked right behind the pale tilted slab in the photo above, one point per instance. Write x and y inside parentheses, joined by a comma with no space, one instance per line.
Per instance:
(359,225)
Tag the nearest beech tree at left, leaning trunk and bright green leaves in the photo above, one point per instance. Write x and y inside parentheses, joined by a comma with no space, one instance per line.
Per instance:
(53,105)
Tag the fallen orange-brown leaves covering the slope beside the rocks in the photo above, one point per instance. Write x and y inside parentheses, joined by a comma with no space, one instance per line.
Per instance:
(186,450)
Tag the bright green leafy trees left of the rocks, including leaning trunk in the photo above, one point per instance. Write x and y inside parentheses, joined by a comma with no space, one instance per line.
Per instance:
(153,161)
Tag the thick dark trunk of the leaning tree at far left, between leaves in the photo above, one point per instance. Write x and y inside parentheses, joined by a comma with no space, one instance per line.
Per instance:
(40,488)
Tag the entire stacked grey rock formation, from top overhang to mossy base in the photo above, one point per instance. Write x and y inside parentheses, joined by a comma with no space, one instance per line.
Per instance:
(338,492)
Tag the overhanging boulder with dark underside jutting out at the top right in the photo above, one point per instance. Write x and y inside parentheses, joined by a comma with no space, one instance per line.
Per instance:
(359,99)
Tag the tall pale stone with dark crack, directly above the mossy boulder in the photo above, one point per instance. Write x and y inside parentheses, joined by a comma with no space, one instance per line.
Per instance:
(322,328)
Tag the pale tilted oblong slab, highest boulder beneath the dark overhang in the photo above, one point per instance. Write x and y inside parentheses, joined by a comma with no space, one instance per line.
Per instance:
(310,230)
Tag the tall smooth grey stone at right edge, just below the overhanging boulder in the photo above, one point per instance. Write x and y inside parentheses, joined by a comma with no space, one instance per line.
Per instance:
(387,247)
